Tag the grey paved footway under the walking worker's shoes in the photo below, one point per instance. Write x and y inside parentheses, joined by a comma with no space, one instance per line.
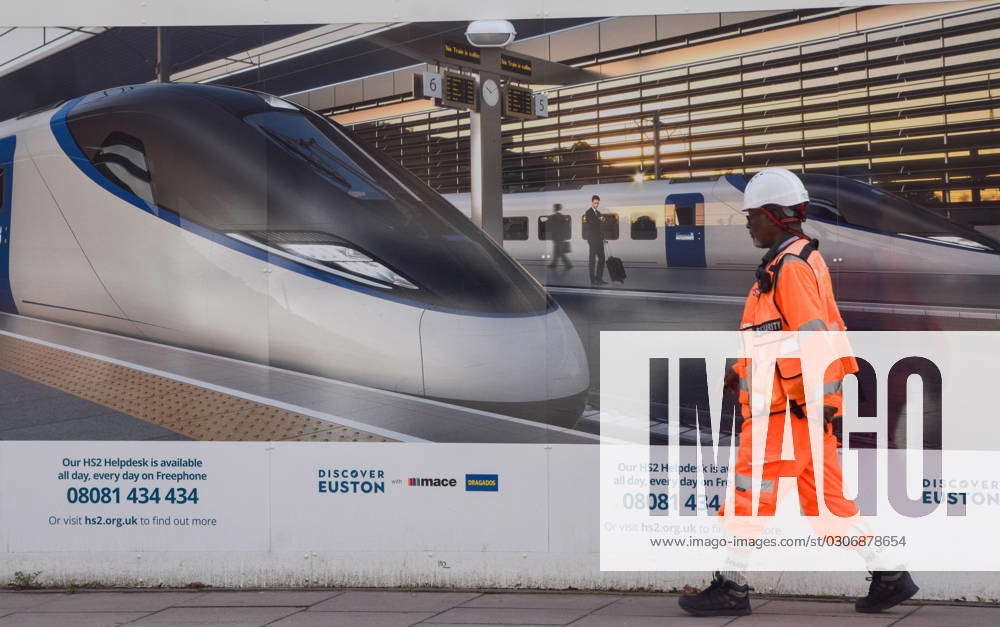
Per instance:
(401,608)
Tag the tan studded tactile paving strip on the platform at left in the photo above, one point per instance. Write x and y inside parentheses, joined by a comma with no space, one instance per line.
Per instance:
(183,408)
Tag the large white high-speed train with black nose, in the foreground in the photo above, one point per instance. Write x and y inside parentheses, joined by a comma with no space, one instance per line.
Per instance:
(237,223)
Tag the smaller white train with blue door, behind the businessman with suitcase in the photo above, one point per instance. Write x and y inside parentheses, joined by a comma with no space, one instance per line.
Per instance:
(666,224)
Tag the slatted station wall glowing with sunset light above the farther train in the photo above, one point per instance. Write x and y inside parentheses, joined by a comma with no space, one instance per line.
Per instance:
(909,108)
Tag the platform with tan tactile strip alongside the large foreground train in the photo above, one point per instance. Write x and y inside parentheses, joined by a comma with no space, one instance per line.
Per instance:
(194,395)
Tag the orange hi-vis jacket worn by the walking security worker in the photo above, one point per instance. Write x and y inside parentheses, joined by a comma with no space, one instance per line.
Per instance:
(800,298)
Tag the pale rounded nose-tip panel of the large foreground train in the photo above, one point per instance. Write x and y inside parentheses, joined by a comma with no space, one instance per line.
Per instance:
(527,366)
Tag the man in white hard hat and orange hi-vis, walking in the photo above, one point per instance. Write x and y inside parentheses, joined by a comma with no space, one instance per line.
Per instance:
(792,292)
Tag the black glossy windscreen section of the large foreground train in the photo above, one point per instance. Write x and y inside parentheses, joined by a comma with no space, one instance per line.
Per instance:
(268,173)
